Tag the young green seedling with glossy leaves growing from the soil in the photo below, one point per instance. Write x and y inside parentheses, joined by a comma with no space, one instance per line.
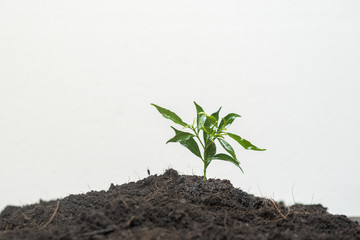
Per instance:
(211,130)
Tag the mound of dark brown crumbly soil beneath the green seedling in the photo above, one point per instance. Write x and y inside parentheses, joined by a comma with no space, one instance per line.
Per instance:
(172,206)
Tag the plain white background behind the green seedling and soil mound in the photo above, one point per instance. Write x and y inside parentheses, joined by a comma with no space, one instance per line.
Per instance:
(77,79)
